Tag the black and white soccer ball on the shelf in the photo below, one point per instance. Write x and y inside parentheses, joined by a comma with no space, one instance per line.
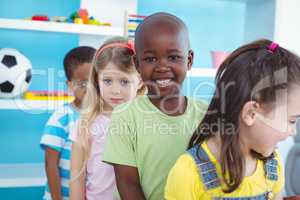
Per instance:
(15,73)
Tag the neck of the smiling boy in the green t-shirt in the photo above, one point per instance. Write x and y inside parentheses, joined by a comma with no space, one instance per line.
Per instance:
(171,106)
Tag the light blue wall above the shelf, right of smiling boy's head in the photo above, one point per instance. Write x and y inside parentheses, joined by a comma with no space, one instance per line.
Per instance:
(213,24)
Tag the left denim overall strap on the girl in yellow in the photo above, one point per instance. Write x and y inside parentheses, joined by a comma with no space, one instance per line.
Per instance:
(207,169)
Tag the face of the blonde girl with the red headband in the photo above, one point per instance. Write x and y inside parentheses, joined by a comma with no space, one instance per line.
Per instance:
(116,86)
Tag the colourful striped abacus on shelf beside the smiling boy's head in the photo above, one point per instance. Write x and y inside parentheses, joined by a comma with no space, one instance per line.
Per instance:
(131,23)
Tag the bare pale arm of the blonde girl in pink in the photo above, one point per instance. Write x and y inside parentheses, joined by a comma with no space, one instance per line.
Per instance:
(77,181)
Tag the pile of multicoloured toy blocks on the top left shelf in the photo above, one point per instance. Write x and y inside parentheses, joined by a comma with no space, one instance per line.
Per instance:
(82,17)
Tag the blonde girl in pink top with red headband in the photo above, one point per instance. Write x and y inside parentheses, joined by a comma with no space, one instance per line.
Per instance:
(113,80)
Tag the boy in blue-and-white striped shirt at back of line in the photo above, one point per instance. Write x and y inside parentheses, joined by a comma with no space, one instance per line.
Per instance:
(55,142)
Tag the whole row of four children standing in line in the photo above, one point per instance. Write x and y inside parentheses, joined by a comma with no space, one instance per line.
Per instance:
(129,143)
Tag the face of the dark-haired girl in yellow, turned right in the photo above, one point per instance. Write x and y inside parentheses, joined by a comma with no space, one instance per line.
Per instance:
(276,125)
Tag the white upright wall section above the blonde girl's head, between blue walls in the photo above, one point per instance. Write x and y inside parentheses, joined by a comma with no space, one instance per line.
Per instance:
(112,11)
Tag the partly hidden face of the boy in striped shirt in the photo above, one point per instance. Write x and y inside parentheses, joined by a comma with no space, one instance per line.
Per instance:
(79,80)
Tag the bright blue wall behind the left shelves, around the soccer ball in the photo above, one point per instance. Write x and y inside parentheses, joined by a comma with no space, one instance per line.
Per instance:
(20,131)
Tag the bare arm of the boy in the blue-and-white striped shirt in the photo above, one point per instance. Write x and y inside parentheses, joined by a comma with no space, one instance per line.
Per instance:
(52,172)
